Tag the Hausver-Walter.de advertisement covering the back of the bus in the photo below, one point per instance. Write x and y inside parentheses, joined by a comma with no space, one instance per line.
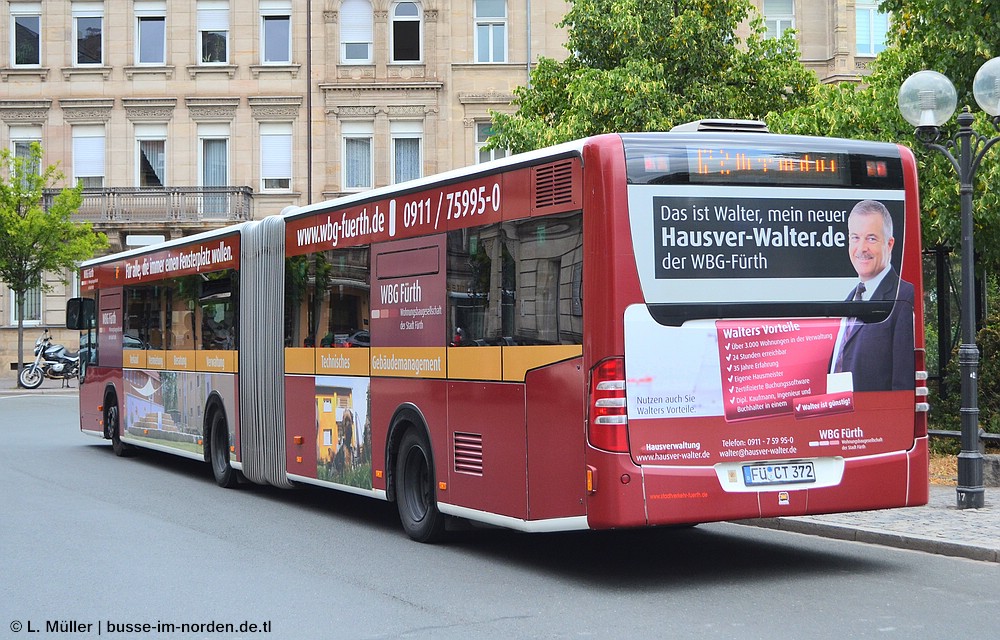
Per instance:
(804,379)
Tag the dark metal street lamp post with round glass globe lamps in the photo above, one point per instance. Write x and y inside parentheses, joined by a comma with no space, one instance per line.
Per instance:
(927,100)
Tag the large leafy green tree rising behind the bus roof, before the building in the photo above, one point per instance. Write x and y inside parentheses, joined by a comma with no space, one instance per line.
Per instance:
(642,65)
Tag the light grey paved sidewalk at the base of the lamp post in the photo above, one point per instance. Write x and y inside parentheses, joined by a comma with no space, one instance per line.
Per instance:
(939,527)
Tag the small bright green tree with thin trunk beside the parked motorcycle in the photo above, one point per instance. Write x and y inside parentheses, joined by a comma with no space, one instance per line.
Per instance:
(38,237)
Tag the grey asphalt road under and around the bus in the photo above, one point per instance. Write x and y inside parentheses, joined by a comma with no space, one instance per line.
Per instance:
(90,539)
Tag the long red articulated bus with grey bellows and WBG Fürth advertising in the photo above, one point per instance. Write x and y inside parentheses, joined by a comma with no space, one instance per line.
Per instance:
(624,331)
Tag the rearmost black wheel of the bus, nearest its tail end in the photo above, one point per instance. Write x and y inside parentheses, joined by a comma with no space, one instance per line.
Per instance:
(415,490)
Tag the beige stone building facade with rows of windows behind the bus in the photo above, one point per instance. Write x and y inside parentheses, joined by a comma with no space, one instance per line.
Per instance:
(192,114)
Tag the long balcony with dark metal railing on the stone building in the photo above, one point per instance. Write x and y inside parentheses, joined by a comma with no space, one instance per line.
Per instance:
(209,206)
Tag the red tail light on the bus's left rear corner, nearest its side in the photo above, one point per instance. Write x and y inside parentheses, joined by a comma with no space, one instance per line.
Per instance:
(608,420)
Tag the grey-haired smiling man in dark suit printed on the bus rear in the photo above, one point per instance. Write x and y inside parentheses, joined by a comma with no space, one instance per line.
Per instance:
(879,355)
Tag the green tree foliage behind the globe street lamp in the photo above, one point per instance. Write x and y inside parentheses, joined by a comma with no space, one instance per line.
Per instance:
(954,39)
